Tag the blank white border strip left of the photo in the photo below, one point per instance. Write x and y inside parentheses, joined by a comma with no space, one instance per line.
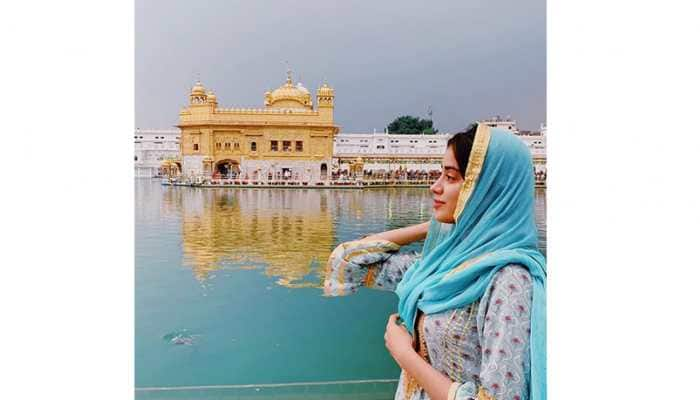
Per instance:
(67,199)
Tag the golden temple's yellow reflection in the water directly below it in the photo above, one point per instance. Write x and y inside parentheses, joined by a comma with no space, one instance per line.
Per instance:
(285,232)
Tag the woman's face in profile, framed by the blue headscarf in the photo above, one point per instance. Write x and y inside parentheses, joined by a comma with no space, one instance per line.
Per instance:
(446,189)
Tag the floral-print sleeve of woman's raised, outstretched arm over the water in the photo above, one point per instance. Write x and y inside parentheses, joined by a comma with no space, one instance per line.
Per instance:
(370,263)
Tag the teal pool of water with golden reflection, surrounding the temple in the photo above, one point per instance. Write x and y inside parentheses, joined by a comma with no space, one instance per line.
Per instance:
(227,291)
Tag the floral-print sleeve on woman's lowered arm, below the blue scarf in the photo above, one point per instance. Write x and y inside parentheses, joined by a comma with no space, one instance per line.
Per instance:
(503,323)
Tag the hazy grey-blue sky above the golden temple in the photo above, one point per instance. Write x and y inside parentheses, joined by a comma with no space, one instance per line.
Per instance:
(464,59)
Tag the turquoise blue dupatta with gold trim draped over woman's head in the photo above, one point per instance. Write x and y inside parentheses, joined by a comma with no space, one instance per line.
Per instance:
(494,227)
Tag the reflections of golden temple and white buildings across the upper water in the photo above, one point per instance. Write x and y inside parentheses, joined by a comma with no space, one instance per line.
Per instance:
(289,233)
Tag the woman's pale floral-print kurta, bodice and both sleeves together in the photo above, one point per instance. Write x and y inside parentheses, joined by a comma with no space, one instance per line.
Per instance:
(483,346)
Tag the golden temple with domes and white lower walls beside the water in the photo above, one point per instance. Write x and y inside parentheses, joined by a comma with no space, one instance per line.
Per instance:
(290,137)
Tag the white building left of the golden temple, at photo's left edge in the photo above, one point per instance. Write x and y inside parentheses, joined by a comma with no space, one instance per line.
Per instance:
(151,147)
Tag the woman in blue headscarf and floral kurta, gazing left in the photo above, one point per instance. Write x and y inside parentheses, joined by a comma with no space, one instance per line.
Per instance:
(471,320)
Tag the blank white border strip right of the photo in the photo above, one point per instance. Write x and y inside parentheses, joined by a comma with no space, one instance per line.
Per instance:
(623,210)
